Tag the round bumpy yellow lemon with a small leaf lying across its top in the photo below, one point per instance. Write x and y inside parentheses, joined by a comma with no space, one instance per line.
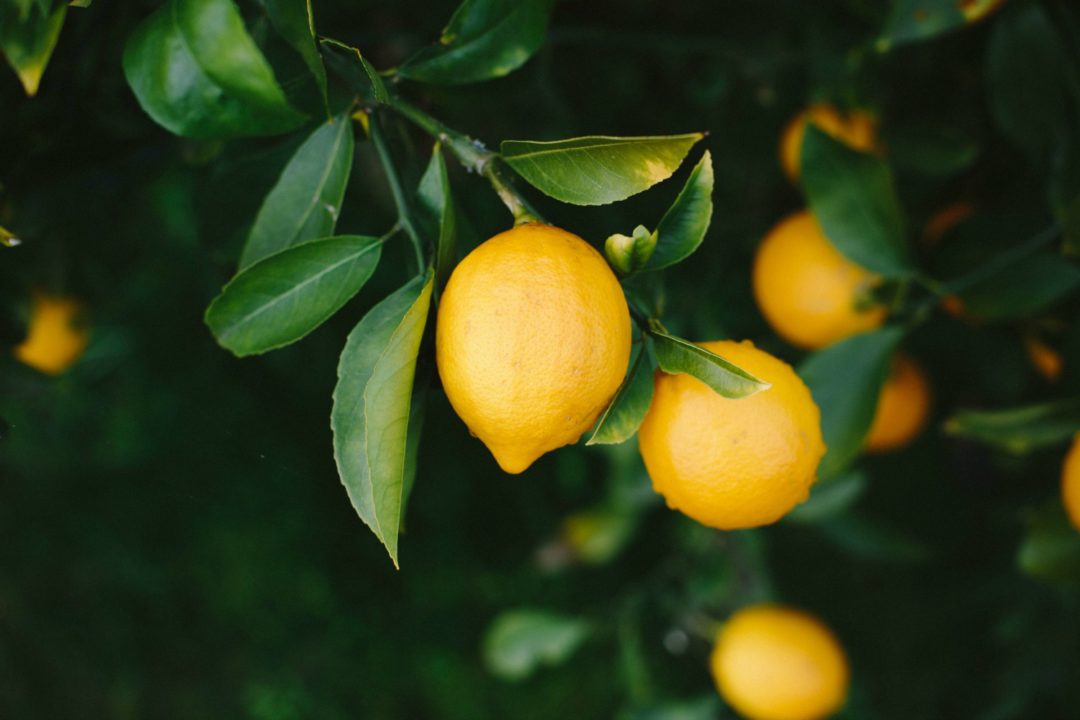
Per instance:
(733,464)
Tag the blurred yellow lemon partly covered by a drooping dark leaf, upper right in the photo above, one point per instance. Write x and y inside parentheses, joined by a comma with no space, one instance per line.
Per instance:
(811,294)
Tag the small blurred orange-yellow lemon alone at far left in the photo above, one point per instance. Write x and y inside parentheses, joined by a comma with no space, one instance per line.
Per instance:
(56,339)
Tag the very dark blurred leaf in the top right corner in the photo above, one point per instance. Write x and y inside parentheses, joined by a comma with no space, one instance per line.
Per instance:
(1032,83)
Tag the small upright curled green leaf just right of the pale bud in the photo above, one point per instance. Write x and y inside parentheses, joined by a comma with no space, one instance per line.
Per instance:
(685,224)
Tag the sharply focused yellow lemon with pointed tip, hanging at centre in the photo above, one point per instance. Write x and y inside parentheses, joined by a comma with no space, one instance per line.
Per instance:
(533,341)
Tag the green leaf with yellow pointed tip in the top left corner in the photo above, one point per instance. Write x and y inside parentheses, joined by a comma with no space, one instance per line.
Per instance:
(28,40)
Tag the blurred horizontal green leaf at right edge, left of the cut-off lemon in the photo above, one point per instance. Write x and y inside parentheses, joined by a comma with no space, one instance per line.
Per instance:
(1020,430)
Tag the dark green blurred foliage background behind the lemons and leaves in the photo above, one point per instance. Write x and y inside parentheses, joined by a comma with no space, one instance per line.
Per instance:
(175,544)
